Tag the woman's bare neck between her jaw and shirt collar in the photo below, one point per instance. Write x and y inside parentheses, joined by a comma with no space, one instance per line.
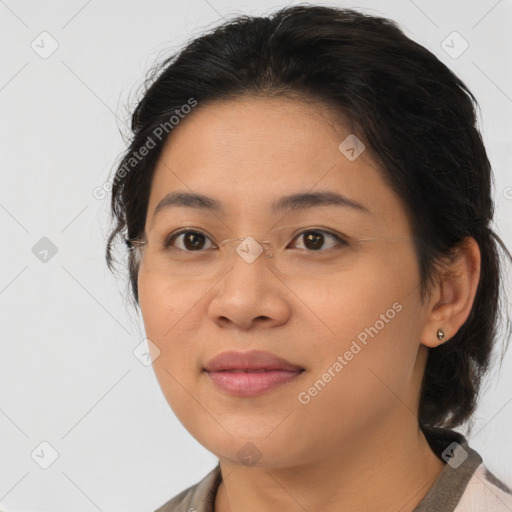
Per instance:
(389,470)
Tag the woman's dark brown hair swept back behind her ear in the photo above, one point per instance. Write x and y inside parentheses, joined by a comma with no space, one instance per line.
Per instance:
(417,117)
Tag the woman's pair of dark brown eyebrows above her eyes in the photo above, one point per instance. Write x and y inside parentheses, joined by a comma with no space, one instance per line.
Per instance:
(294,202)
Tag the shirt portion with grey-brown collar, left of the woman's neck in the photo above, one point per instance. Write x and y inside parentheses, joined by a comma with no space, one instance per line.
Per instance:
(199,497)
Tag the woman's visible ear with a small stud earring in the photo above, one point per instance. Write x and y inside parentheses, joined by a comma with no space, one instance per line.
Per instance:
(453,295)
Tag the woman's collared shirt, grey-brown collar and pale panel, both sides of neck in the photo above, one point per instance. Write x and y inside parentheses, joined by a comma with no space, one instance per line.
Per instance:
(464,484)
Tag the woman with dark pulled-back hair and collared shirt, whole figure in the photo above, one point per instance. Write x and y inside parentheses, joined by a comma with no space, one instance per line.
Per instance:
(307,201)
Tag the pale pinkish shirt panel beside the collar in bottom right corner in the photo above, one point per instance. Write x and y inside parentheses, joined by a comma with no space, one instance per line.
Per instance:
(485,491)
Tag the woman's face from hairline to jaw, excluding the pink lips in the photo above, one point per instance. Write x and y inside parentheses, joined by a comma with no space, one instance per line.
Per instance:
(349,316)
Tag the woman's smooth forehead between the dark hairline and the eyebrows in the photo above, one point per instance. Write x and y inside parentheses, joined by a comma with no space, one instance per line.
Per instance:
(247,153)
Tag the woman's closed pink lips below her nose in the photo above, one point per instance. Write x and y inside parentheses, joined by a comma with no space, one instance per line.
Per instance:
(250,373)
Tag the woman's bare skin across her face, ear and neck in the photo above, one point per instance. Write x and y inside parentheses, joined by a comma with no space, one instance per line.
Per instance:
(356,445)
